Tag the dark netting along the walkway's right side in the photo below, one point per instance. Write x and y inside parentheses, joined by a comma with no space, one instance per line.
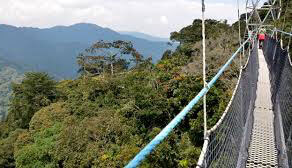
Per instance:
(280,67)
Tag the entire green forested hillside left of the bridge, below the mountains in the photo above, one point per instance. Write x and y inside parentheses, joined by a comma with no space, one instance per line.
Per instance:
(105,119)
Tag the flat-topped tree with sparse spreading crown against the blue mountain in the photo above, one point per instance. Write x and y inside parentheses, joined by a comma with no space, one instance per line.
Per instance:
(103,56)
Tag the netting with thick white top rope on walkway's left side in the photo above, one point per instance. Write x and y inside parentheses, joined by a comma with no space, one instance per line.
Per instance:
(227,142)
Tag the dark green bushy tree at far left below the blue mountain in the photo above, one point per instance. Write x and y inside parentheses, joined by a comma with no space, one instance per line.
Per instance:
(37,90)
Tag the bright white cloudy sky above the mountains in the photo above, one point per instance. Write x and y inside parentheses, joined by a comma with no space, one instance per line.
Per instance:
(156,17)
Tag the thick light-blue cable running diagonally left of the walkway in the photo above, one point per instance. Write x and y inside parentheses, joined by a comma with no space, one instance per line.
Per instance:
(165,132)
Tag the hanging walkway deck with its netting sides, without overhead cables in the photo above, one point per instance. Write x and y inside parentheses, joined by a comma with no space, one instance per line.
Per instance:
(256,132)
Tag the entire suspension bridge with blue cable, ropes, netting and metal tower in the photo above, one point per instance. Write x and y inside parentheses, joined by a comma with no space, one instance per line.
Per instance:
(256,128)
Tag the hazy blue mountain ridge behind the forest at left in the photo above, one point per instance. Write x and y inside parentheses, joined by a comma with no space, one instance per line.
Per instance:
(54,50)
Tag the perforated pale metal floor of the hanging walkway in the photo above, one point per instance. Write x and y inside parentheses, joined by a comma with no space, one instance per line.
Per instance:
(262,150)
